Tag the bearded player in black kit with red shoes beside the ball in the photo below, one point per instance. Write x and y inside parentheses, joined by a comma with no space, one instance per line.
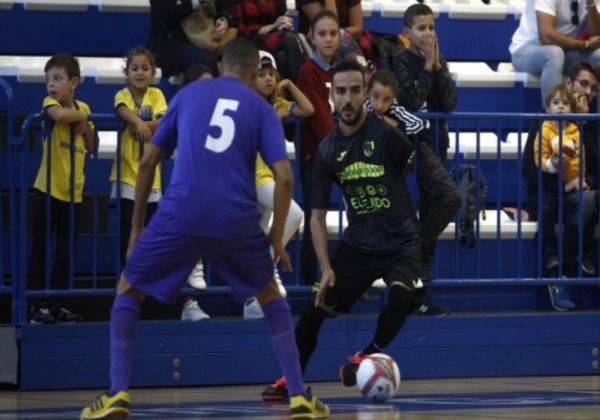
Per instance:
(362,153)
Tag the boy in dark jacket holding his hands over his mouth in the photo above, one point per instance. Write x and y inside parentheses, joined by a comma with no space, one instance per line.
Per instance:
(426,85)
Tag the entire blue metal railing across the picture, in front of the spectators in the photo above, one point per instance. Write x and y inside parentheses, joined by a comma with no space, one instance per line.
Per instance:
(506,251)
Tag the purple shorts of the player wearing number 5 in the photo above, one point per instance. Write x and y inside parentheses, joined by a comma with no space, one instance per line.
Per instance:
(162,261)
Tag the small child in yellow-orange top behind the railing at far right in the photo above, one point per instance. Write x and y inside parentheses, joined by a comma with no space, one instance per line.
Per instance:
(557,150)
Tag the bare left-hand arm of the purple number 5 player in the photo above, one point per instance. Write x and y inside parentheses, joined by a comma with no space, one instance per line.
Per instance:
(153,155)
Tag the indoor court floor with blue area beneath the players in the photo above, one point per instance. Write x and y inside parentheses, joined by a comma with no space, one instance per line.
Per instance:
(543,398)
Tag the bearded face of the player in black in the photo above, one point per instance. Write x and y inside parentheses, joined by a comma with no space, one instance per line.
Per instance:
(348,96)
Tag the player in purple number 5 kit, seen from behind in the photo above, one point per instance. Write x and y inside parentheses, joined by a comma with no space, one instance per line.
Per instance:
(210,210)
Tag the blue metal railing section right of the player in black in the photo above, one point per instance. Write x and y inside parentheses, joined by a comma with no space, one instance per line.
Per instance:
(510,131)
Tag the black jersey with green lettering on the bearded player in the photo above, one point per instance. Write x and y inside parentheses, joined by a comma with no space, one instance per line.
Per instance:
(370,167)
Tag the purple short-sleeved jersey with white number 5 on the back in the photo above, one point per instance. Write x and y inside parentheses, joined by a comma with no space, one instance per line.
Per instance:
(217,126)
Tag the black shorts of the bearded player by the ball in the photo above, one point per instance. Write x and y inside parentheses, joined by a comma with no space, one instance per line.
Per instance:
(355,271)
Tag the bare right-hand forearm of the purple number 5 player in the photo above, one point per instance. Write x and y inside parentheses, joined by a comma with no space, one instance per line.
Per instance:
(282,196)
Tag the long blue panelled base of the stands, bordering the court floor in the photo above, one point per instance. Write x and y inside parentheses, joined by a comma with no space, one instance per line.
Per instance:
(231,351)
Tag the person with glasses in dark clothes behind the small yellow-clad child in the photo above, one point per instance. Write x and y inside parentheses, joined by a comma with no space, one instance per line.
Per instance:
(582,81)
